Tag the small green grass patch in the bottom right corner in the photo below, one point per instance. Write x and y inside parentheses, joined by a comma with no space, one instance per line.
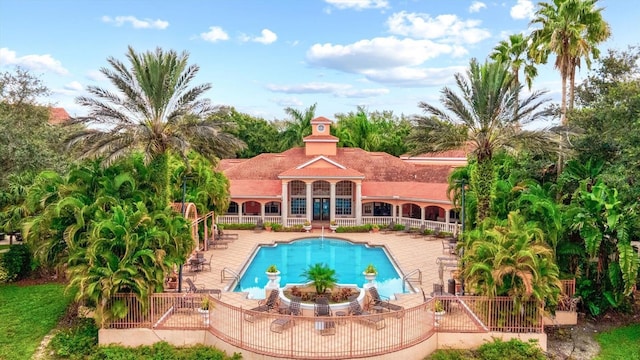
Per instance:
(620,343)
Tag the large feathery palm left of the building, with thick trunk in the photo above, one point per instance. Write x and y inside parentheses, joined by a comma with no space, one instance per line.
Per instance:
(153,111)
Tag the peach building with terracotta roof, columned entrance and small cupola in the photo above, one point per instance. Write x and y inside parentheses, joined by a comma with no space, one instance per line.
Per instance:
(321,182)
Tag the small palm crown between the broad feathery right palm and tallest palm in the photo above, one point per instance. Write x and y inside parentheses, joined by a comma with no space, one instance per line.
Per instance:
(514,53)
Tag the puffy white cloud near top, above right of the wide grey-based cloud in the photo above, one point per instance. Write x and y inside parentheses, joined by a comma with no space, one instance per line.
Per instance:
(446,27)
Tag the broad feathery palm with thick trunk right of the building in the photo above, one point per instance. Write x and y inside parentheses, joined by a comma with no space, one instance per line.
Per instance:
(487,117)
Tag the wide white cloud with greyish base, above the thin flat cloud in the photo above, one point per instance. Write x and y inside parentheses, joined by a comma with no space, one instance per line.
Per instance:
(377,53)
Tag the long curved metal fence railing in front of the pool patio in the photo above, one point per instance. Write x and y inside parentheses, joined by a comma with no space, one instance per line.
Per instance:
(337,337)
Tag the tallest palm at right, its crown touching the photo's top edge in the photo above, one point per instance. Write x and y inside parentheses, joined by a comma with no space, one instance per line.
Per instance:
(571,29)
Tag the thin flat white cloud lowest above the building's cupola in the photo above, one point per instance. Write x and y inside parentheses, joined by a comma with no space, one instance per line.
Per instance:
(339,90)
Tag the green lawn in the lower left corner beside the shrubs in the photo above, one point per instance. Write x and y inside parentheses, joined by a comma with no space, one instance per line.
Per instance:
(27,314)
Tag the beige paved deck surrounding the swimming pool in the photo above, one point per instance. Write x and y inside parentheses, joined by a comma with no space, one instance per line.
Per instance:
(409,253)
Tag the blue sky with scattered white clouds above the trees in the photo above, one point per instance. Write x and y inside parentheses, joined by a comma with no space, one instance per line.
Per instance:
(264,56)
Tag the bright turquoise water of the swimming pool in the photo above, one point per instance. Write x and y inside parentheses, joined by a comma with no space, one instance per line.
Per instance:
(348,259)
